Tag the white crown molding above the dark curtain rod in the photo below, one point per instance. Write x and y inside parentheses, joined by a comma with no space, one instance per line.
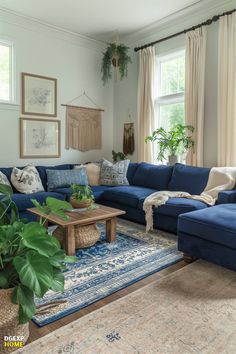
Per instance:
(187,17)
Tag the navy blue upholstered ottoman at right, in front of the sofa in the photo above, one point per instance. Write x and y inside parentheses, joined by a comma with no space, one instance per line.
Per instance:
(209,234)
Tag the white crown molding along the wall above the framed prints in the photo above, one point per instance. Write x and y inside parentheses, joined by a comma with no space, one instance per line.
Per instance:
(32,24)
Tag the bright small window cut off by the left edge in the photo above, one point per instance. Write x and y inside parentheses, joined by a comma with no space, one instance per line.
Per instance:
(6,72)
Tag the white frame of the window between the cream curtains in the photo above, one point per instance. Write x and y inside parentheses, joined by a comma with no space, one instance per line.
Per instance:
(169,98)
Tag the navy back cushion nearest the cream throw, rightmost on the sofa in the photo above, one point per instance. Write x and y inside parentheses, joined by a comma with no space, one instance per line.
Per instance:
(188,179)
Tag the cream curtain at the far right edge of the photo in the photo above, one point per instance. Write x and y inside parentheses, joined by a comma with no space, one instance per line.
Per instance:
(227,91)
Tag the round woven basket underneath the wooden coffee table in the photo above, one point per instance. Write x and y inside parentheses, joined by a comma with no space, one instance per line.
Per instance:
(86,236)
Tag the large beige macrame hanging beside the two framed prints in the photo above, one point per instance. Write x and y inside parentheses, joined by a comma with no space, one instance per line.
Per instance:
(83,126)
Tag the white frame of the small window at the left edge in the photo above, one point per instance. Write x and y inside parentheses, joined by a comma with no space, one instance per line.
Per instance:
(12,90)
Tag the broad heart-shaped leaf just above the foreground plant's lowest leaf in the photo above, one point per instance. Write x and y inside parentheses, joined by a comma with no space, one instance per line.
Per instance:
(35,272)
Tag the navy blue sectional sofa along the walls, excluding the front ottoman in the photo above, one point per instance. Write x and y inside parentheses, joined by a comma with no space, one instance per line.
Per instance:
(144,179)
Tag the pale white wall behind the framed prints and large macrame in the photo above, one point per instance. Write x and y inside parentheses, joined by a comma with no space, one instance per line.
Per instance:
(75,61)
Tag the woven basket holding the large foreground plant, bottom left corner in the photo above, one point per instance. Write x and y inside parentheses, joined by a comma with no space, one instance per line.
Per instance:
(9,321)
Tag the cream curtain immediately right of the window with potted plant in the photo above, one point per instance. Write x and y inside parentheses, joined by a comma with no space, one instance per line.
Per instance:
(194,90)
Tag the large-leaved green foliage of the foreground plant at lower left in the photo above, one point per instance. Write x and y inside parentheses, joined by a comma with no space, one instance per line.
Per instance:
(31,260)
